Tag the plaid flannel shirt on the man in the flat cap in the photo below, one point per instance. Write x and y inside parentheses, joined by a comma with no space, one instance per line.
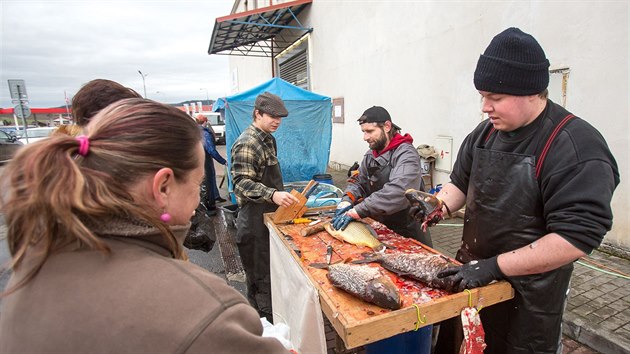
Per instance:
(251,152)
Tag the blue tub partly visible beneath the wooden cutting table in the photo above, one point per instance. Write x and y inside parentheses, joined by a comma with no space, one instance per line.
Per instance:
(418,342)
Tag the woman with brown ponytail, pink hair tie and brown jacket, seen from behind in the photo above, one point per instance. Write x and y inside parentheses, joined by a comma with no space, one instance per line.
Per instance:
(95,229)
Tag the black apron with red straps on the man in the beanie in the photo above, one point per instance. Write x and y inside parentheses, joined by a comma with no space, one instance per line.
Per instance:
(504,211)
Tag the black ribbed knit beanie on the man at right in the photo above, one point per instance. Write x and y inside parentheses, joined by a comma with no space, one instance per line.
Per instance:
(514,64)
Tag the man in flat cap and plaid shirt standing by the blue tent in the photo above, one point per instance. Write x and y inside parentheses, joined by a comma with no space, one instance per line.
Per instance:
(258,187)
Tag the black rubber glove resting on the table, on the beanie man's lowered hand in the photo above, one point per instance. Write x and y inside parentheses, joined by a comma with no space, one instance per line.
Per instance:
(471,275)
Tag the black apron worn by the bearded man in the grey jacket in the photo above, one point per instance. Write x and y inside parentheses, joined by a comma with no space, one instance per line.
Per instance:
(400,222)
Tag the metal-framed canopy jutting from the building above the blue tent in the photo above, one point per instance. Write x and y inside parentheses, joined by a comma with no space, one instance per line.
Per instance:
(263,32)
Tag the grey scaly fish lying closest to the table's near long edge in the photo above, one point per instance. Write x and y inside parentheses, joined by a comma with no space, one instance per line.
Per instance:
(364,282)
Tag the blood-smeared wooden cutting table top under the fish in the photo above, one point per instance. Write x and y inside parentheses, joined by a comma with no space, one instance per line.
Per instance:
(359,323)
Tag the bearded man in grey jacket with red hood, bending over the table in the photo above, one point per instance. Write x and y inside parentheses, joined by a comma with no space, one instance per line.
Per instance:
(388,169)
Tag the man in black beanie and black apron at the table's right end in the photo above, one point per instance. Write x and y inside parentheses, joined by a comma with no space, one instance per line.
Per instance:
(537,183)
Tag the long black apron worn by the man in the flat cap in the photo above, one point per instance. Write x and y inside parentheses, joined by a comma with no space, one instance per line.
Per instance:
(254,241)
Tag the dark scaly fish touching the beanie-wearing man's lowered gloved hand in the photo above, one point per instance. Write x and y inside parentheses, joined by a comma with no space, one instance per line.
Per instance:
(417,266)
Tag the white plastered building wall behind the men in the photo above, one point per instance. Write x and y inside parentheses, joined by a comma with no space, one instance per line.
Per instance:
(417,60)
